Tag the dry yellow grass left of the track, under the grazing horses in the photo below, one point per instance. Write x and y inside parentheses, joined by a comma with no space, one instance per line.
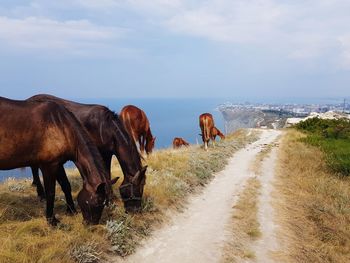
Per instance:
(172,175)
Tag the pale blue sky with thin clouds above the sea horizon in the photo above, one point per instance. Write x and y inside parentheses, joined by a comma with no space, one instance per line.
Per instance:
(175,48)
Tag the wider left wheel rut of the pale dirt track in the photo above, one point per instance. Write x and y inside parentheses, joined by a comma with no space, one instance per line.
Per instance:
(199,233)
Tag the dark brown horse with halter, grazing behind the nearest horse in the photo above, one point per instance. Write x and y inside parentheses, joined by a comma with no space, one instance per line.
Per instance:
(111,138)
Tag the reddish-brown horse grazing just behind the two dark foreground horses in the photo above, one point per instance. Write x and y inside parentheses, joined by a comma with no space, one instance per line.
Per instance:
(137,124)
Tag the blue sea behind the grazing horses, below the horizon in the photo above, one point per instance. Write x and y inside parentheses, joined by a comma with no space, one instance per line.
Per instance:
(168,118)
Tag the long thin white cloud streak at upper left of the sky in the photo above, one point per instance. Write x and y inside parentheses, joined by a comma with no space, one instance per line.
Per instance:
(43,34)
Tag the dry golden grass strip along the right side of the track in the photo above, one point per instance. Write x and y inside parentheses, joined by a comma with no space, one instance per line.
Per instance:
(314,203)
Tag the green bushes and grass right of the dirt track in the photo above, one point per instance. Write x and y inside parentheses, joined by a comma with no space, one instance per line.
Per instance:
(333,137)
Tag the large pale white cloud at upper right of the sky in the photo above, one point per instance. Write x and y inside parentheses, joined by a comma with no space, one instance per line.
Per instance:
(302,30)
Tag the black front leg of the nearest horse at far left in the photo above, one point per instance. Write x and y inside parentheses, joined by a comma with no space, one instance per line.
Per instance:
(49,174)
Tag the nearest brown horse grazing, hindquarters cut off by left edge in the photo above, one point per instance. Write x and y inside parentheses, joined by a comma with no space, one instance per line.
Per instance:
(46,135)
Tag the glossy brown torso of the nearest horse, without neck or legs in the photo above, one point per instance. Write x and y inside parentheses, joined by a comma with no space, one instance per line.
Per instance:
(31,133)
